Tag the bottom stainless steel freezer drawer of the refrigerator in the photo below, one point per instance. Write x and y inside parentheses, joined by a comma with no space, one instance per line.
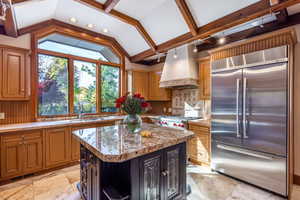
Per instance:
(264,170)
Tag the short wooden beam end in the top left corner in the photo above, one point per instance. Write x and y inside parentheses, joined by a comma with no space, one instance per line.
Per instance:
(10,24)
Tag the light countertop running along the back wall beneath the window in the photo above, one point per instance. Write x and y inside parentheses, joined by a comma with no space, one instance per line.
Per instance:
(61,123)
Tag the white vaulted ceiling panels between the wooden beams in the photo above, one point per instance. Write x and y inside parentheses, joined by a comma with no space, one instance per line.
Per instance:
(161,18)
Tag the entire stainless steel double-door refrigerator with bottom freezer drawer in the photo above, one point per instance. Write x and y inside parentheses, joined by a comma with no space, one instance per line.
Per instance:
(249,118)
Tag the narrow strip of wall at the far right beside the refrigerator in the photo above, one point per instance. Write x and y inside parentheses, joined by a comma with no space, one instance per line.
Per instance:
(297,104)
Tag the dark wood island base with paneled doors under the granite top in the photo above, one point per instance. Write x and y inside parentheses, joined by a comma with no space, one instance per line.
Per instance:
(159,175)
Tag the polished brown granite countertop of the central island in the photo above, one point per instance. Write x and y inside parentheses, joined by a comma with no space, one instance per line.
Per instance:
(113,144)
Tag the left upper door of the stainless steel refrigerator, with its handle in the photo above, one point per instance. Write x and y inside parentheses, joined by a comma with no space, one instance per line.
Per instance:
(226,106)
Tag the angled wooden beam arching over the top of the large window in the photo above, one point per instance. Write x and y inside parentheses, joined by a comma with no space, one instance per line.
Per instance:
(44,24)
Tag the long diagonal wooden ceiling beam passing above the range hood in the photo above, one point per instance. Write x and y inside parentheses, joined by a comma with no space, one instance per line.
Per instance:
(241,16)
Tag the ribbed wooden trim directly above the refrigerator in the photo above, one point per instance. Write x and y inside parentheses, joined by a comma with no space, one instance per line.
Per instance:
(266,41)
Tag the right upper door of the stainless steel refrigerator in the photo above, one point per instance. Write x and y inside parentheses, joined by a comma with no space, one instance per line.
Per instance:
(265,108)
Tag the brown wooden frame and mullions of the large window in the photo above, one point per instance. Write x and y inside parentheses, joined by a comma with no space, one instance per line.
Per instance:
(71,59)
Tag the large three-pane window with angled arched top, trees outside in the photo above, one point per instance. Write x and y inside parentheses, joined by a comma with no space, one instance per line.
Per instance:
(76,76)
